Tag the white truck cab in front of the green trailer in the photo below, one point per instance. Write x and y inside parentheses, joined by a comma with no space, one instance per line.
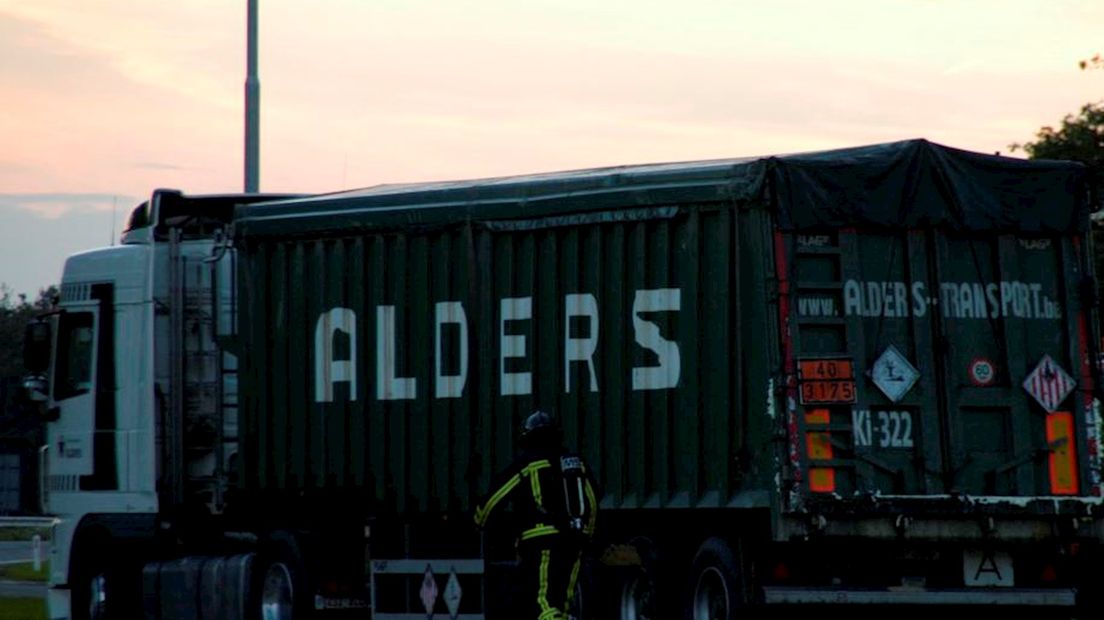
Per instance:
(139,390)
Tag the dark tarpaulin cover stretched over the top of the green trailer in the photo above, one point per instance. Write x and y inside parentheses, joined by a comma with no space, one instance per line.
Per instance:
(906,185)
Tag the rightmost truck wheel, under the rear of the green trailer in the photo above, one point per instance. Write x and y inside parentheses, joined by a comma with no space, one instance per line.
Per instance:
(716,589)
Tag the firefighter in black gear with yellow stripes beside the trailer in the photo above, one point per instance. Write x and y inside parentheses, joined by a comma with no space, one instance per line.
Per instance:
(555,501)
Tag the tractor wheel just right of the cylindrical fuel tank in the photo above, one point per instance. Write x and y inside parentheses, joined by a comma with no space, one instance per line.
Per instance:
(283,591)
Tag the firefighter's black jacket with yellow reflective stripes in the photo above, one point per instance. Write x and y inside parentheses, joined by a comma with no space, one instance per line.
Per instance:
(553,494)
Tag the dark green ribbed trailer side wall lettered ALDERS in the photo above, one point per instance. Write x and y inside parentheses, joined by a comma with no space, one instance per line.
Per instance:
(623,322)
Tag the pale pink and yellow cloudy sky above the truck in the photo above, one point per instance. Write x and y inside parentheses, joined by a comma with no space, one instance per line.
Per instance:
(105,101)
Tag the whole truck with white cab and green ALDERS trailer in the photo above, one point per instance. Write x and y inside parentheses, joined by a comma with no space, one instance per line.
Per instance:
(862,378)
